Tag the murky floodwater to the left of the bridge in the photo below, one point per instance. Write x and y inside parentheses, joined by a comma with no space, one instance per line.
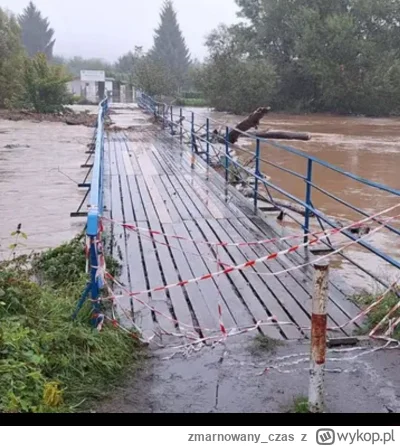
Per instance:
(39,172)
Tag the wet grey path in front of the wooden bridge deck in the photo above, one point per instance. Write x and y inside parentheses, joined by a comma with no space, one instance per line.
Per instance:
(231,380)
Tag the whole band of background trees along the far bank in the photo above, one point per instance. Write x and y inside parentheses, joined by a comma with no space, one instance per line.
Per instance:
(293,55)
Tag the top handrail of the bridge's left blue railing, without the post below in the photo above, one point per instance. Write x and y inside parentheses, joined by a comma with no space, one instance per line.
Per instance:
(96,186)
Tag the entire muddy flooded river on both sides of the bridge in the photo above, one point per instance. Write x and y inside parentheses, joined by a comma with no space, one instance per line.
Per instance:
(36,160)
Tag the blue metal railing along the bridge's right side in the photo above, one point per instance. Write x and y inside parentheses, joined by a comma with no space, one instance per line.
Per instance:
(151,105)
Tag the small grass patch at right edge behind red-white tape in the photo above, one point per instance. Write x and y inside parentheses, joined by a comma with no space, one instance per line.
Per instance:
(379,312)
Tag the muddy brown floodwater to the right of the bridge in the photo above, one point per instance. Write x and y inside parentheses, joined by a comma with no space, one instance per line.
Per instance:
(368,147)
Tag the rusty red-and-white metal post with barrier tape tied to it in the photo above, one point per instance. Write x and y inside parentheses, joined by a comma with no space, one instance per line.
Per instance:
(318,337)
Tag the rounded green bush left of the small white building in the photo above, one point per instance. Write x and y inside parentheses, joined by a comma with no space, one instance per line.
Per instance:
(45,85)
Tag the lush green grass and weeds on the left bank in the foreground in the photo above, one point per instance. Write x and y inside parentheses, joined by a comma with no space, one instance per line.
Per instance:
(48,363)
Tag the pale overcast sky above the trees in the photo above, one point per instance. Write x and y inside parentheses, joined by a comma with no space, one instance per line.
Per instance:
(107,29)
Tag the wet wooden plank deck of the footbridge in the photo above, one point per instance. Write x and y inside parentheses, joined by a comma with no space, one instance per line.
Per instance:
(149,182)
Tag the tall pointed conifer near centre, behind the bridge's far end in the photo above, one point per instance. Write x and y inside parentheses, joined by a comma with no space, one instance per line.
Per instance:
(170,48)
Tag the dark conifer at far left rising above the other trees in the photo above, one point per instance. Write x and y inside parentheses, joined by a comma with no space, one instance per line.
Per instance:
(37,36)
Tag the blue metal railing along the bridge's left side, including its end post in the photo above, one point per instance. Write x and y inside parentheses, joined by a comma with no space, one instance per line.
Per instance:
(95,211)
